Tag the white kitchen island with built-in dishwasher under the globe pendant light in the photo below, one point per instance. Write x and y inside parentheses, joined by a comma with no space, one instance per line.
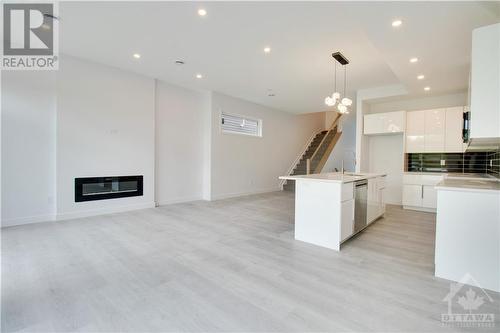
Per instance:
(332,207)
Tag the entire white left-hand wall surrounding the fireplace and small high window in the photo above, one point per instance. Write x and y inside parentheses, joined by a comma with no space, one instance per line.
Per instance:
(90,120)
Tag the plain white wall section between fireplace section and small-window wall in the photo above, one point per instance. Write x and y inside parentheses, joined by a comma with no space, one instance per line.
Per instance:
(181,136)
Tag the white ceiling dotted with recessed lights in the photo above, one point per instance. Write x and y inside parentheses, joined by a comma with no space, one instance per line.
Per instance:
(226,45)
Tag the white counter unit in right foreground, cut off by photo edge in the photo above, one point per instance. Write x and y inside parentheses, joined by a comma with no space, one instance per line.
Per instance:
(468,230)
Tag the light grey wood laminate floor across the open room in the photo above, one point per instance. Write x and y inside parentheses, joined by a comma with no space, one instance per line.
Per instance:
(229,265)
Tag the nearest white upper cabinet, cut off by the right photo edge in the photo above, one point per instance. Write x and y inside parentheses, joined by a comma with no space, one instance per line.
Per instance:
(485,83)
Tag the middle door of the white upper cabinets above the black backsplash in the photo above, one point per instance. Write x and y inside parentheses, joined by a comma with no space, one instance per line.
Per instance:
(434,130)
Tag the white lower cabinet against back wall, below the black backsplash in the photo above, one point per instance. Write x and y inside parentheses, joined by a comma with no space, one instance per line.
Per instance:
(419,191)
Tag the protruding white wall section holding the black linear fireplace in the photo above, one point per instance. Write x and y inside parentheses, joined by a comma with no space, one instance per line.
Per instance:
(105,127)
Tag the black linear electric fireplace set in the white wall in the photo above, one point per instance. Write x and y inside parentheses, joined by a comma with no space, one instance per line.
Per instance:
(101,188)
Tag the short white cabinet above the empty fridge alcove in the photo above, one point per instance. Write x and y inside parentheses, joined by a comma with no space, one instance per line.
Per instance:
(384,123)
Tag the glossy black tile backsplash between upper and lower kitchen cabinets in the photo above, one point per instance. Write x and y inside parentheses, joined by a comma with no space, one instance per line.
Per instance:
(473,162)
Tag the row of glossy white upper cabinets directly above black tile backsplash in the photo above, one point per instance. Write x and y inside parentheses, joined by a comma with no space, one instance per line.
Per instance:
(434,131)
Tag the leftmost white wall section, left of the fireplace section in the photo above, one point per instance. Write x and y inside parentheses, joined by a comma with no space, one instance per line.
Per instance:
(28,146)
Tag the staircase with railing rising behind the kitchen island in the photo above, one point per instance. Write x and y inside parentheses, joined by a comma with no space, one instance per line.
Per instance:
(316,154)
